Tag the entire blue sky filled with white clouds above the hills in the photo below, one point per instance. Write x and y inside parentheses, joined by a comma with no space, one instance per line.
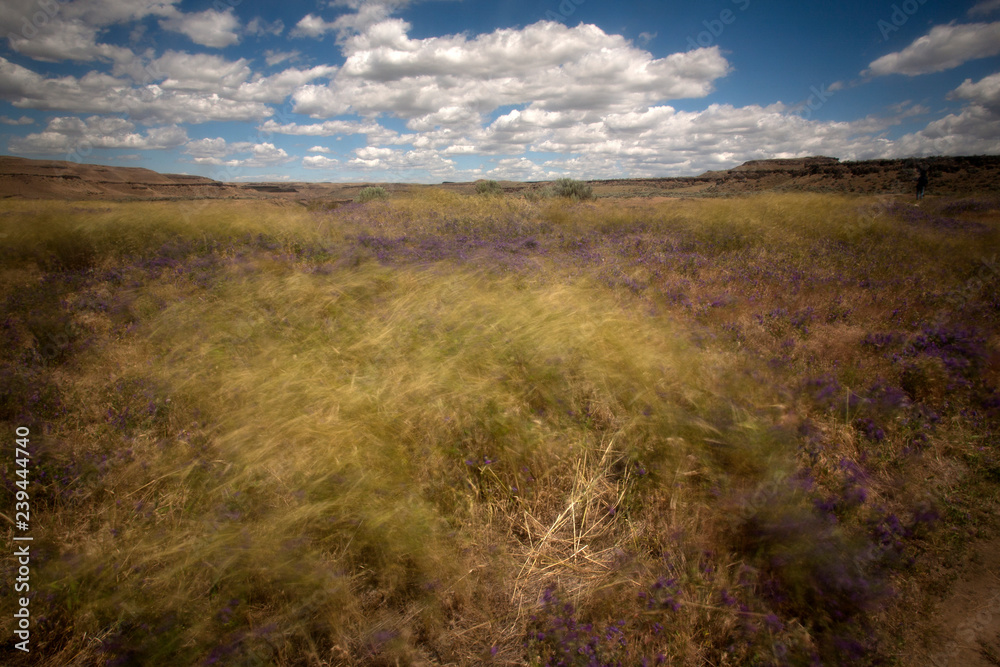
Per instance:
(458,90)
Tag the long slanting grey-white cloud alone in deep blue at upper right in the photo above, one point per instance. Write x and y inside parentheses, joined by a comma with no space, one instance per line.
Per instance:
(944,47)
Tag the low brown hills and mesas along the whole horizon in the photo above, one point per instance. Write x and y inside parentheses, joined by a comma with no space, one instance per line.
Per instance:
(54,179)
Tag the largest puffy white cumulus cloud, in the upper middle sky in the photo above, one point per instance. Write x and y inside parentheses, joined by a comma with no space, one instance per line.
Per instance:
(452,80)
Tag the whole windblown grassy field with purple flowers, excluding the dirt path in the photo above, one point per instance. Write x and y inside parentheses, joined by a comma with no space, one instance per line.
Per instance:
(447,429)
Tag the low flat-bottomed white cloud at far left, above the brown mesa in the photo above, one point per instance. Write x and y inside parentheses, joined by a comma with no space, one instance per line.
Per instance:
(67,134)
